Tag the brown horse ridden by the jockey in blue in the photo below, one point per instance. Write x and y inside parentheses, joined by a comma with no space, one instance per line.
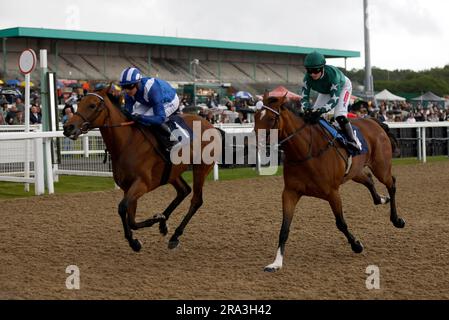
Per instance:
(138,167)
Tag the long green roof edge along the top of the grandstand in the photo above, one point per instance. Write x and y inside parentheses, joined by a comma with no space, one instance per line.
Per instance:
(22,32)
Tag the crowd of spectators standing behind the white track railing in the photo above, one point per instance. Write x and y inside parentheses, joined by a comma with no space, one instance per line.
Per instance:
(239,110)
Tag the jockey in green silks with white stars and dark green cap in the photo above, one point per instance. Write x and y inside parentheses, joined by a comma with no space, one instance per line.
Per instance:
(334,92)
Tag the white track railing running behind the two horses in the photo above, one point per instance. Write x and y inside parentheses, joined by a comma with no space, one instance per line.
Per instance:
(39,148)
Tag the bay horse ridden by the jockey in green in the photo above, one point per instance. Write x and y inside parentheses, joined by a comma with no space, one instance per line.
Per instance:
(316,166)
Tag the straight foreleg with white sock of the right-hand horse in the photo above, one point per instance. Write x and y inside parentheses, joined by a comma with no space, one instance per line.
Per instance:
(289,200)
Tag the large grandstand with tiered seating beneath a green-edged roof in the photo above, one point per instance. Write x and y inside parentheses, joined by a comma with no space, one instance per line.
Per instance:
(98,56)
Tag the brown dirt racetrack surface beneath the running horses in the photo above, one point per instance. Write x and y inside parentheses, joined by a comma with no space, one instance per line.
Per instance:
(227,244)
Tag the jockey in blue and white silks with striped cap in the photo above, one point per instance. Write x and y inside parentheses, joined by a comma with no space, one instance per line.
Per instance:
(150,101)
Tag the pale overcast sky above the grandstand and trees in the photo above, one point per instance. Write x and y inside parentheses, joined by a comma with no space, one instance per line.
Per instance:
(405,34)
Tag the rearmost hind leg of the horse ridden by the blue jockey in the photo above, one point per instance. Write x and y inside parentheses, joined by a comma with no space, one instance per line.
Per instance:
(200,173)
